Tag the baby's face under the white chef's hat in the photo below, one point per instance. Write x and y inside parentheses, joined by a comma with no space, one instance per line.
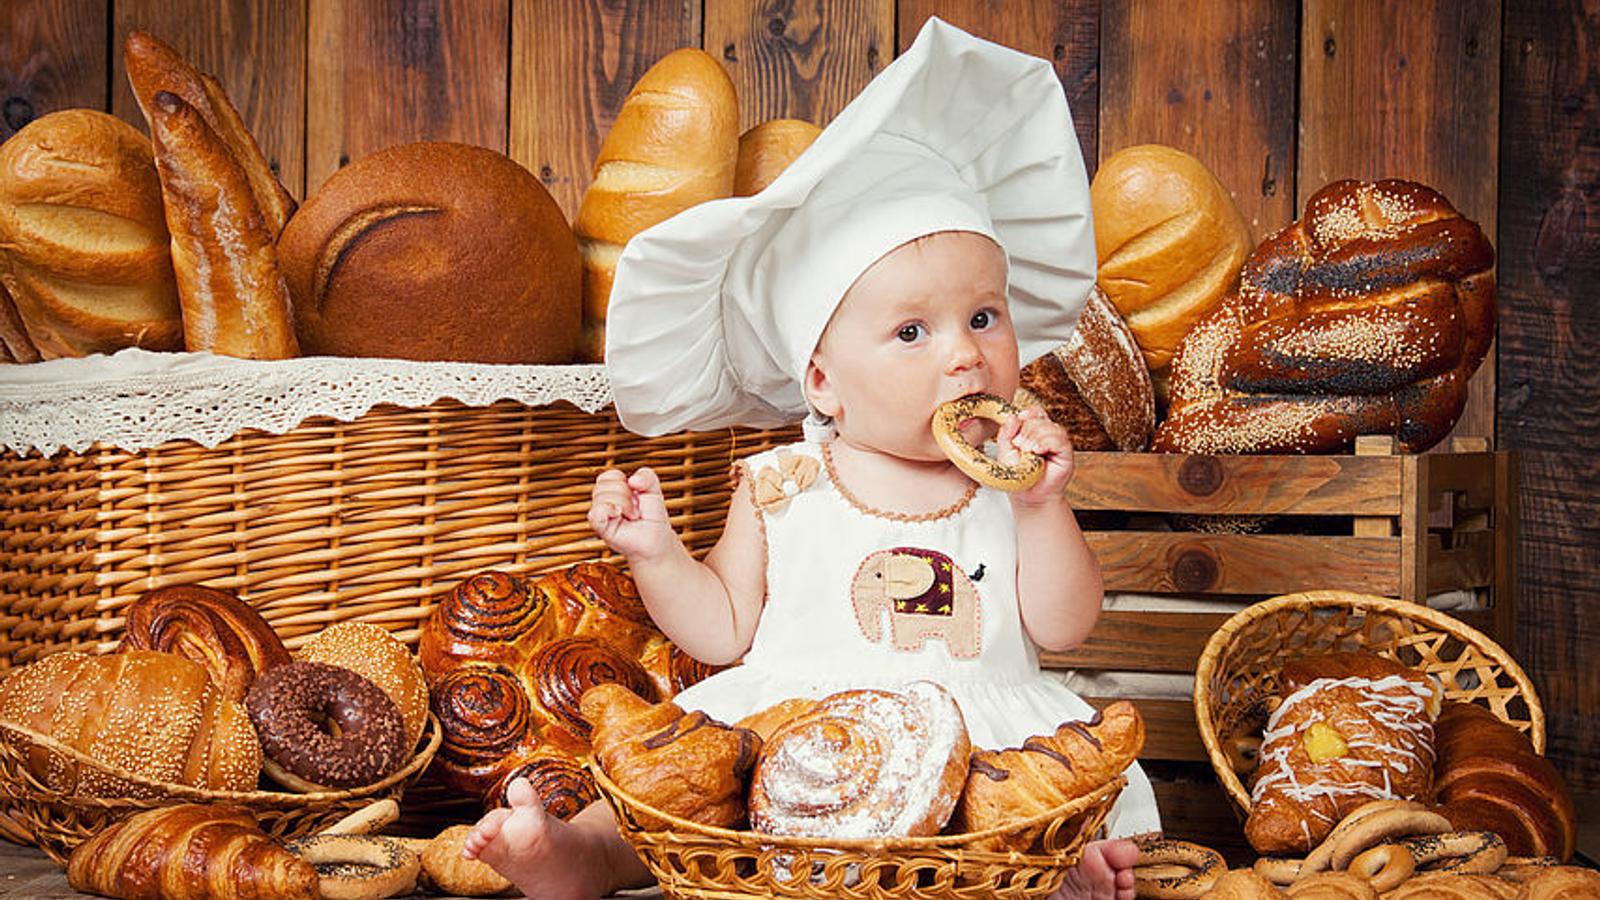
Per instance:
(926,324)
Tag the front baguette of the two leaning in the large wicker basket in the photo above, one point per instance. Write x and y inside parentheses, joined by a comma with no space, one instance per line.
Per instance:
(233,294)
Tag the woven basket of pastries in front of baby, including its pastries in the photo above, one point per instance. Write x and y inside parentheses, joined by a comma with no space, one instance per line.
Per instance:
(863,794)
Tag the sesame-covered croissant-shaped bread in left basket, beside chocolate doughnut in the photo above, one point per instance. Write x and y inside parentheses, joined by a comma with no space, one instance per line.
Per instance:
(145,713)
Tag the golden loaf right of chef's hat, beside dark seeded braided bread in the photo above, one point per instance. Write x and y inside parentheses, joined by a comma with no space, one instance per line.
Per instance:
(1170,244)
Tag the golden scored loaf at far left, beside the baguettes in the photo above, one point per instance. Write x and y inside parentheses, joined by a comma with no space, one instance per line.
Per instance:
(84,247)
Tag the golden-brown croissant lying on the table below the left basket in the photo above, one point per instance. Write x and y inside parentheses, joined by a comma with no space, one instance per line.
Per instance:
(190,853)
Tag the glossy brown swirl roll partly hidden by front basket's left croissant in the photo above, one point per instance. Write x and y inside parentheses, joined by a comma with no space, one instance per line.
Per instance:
(559,675)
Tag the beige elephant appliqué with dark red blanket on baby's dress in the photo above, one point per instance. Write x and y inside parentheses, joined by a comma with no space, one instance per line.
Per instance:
(926,597)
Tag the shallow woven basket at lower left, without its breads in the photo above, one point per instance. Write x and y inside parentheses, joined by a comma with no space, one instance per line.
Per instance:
(58,822)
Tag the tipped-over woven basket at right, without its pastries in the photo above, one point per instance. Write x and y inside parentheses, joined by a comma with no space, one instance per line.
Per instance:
(1239,669)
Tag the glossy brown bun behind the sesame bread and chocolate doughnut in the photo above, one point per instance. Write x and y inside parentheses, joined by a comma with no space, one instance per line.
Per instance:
(209,627)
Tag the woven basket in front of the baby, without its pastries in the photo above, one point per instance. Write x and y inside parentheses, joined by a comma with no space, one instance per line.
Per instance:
(697,861)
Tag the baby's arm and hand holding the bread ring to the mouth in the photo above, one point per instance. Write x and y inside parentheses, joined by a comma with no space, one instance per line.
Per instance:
(1058,581)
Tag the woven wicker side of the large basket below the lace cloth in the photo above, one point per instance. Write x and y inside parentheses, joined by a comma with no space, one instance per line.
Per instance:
(332,521)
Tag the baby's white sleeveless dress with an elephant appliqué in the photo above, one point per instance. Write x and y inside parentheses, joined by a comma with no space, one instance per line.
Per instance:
(863,598)
